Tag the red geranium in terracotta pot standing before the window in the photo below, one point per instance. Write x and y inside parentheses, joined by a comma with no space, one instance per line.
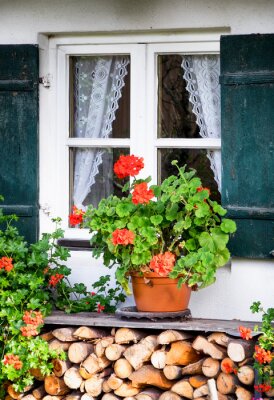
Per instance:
(172,232)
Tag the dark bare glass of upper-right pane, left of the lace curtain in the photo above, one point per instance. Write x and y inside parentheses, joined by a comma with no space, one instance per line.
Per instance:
(175,116)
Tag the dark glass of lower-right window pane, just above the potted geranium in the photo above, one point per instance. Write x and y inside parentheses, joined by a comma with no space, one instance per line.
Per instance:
(193,158)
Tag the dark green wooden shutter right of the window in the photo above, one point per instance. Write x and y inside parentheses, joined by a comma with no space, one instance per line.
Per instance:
(247,98)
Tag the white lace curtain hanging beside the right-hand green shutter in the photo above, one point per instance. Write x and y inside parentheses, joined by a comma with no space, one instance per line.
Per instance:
(202,76)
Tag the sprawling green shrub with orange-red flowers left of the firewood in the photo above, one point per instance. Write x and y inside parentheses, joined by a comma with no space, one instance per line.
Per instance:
(34,279)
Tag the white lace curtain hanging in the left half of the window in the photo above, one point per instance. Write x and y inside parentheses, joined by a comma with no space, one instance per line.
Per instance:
(97,90)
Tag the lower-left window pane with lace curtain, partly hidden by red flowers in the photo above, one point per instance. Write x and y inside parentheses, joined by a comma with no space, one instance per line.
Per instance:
(91,175)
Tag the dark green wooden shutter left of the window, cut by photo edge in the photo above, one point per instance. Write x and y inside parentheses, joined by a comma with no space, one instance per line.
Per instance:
(19,135)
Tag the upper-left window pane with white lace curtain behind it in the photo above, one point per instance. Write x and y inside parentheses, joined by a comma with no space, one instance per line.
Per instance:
(100,97)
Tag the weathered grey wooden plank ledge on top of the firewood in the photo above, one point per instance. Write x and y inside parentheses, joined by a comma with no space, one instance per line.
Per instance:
(110,320)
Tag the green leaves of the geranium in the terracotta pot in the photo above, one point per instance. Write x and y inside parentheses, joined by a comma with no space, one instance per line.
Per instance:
(182,220)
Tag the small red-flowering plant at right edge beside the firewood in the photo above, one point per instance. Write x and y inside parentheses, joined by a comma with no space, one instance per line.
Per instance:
(264,351)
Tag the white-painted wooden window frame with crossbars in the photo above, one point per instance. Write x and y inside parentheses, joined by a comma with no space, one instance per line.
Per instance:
(54,108)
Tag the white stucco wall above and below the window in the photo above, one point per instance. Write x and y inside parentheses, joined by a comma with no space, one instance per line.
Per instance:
(21,21)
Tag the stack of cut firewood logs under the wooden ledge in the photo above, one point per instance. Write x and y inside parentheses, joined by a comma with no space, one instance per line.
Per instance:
(132,364)
